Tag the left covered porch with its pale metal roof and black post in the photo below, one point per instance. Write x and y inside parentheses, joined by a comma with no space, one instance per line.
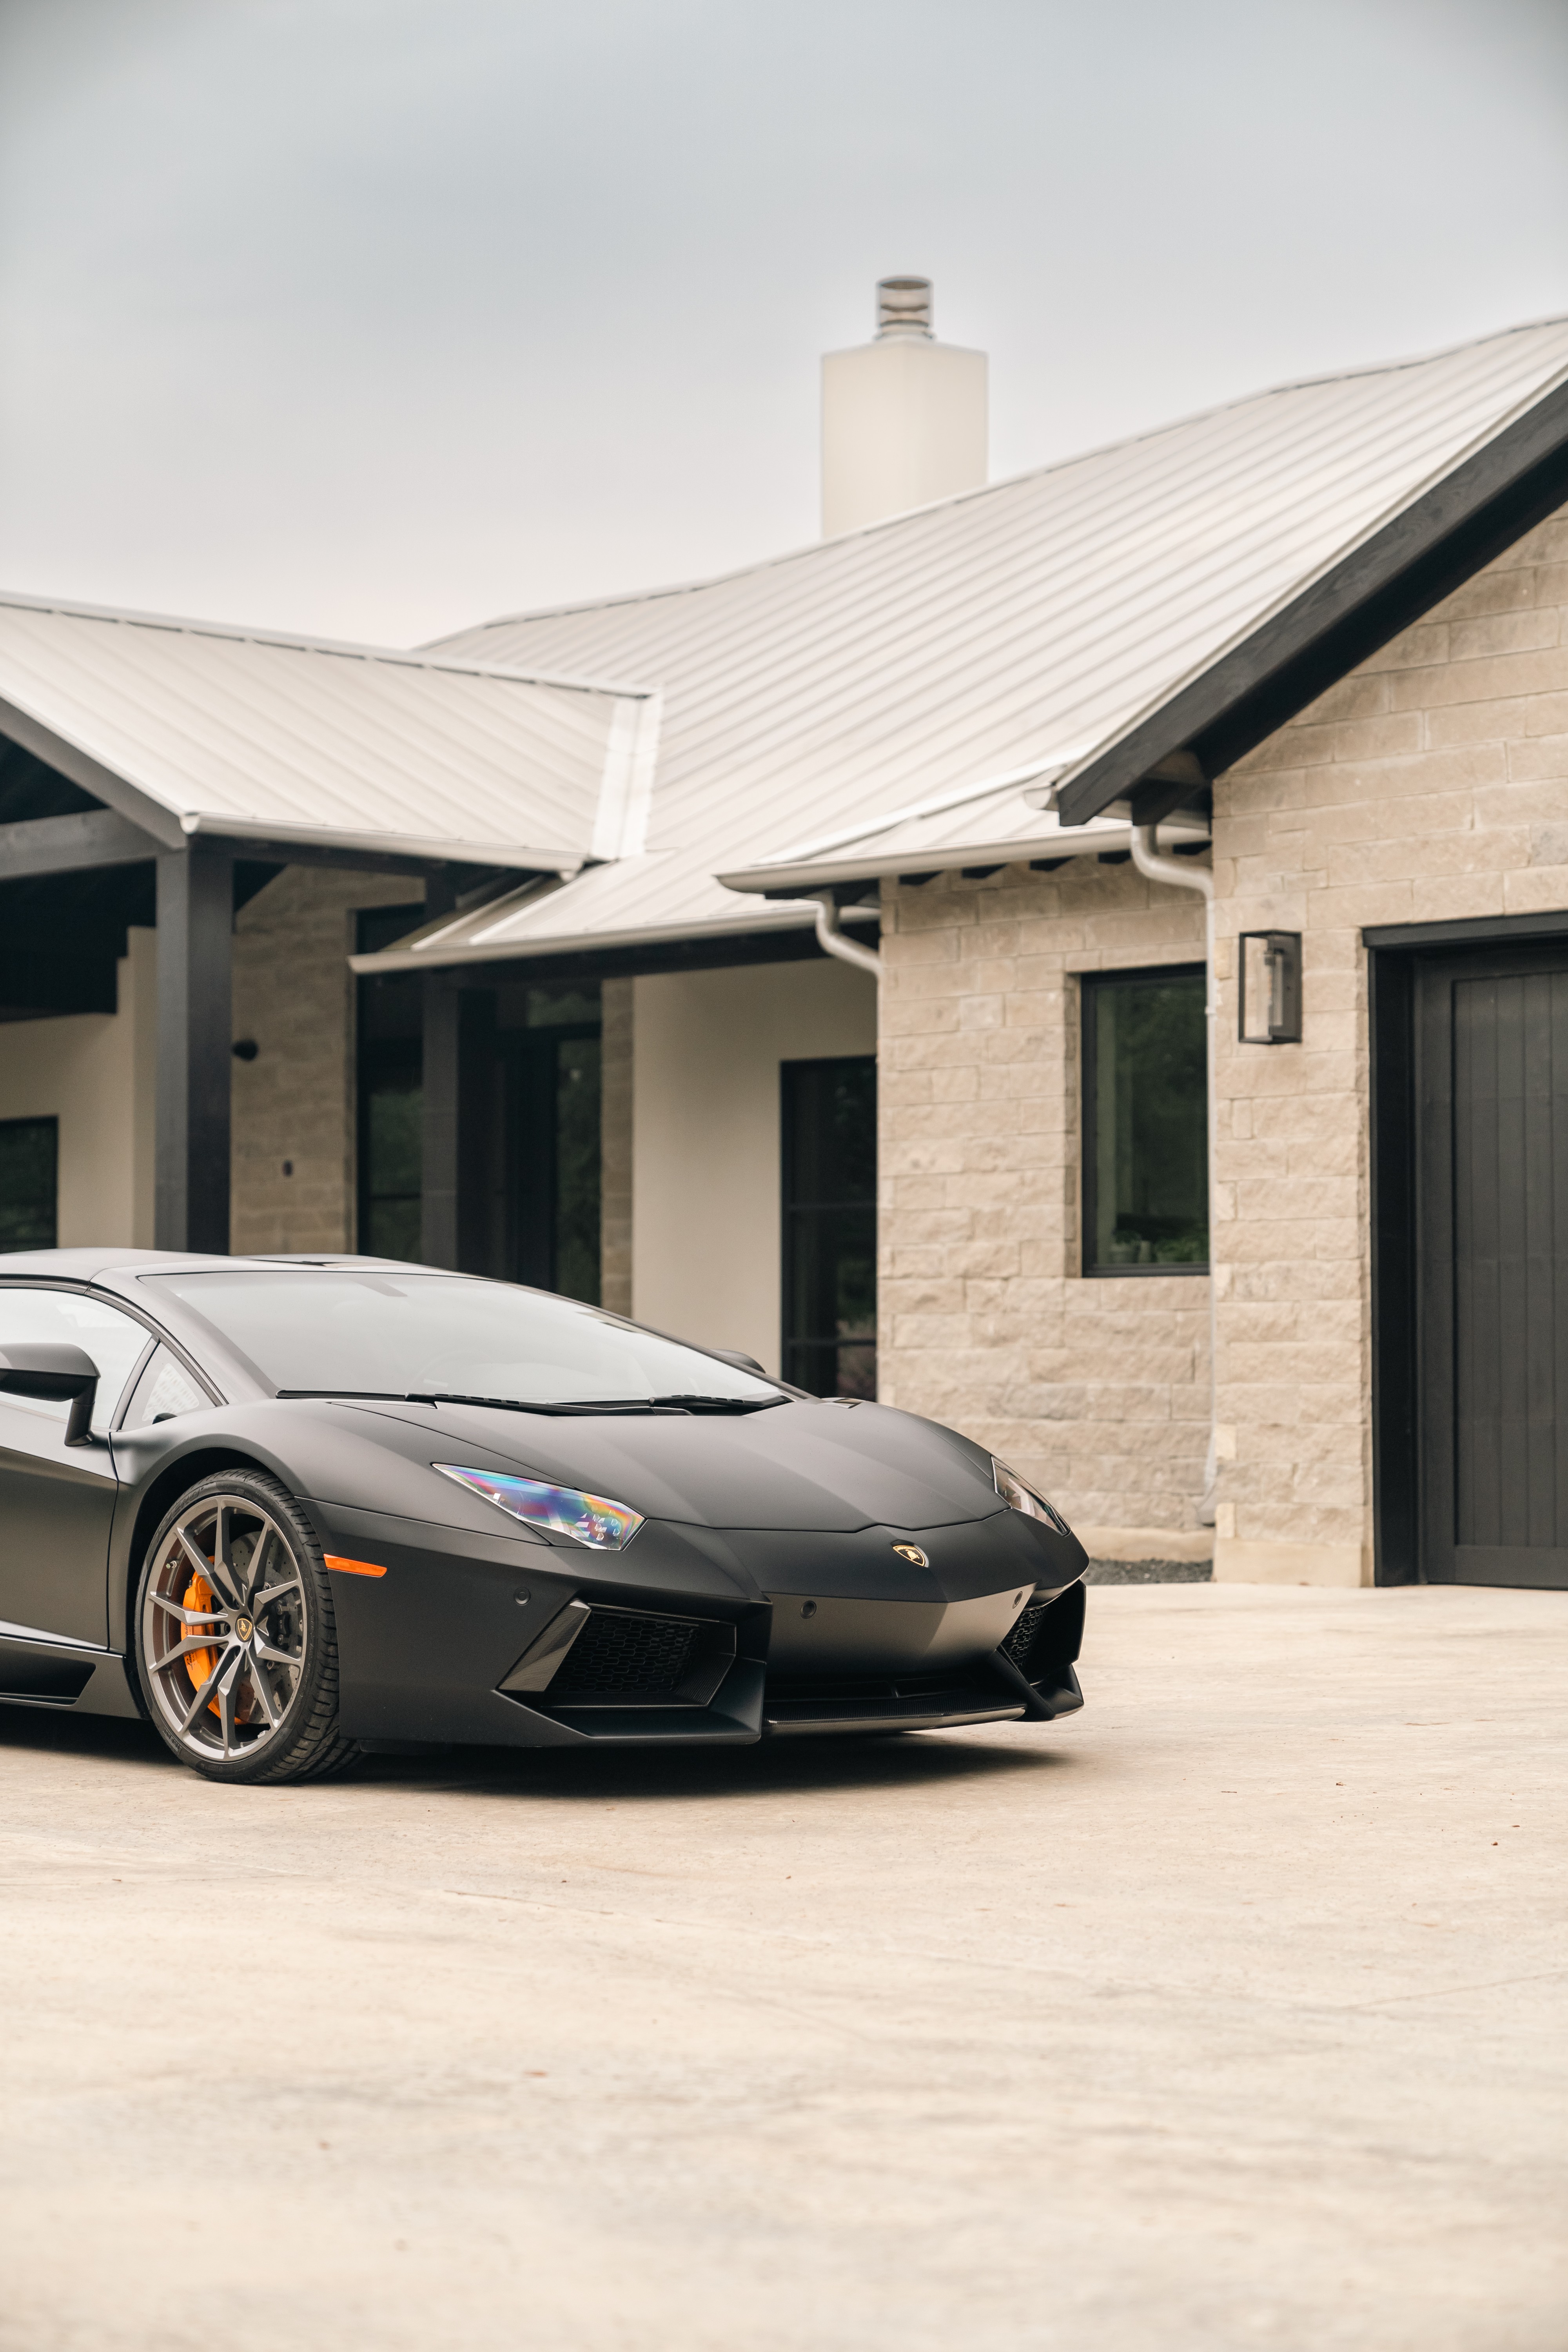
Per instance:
(166,791)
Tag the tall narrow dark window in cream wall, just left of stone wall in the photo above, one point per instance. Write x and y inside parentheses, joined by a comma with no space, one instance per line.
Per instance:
(831,1227)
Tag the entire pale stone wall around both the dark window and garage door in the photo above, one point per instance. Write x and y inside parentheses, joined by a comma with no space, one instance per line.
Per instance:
(1430,784)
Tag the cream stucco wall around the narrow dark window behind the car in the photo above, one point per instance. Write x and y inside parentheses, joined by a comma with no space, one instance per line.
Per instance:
(706,1140)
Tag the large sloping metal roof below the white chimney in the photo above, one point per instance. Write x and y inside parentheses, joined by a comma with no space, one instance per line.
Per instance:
(1012,629)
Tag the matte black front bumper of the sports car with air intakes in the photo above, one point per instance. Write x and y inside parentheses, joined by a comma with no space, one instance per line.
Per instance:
(697,1636)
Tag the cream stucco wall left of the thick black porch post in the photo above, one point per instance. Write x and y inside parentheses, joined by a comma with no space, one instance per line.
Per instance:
(95,1074)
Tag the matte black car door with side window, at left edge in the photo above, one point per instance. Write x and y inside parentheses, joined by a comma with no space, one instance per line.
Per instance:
(58,1502)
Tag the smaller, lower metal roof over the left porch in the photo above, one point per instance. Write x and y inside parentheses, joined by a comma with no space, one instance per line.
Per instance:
(192,728)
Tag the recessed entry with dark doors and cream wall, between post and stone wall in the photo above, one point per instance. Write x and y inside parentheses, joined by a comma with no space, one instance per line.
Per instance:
(678,1130)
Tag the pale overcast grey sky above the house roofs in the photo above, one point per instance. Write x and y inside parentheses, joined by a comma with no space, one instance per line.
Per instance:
(384,316)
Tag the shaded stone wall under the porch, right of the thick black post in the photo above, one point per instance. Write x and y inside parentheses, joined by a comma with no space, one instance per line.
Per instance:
(295,1104)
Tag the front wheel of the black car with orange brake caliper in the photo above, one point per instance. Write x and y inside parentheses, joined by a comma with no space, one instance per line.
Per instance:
(239,1563)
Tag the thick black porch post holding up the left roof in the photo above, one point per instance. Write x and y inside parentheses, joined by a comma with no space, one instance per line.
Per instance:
(196,918)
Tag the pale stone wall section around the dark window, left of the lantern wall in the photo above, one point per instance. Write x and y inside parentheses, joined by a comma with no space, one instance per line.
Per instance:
(1099,1391)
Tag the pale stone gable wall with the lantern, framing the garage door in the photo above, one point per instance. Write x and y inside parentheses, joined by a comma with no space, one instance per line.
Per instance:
(1430,784)
